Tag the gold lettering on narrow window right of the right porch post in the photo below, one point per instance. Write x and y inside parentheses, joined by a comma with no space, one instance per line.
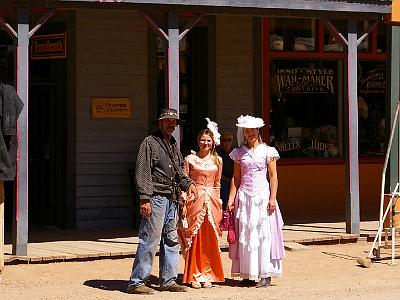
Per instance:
(372,78)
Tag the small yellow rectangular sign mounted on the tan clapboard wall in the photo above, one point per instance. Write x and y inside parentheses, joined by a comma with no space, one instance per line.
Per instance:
(111,108)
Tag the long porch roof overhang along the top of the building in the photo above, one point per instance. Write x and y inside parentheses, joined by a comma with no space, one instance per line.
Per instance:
(306,8)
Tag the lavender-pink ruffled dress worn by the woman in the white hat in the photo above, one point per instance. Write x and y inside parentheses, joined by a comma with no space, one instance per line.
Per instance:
(259,248)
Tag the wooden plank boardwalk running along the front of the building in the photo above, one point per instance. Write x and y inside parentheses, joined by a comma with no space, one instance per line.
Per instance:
(63,245)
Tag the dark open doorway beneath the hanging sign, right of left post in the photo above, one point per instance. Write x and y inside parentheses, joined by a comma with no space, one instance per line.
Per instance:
(47,141)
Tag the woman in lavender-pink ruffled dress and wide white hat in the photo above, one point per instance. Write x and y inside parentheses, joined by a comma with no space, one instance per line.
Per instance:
(258,250)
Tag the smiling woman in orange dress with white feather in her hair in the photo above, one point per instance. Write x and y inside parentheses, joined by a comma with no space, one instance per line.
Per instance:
(200,241)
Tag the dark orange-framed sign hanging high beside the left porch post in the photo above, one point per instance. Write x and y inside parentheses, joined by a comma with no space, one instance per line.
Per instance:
(49,46)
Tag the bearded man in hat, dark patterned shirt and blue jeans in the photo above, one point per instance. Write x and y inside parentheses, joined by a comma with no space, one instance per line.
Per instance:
(159,179)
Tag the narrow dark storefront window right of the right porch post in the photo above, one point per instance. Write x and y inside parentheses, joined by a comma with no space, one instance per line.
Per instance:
(371,107)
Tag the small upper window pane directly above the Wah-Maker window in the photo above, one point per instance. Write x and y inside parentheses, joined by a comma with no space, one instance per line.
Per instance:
(292,34)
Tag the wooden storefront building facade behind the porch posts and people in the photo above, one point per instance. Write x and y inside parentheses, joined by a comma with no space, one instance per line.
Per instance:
(285,61)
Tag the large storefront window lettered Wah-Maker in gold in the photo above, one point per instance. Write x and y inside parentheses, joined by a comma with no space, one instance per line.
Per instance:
(304,108)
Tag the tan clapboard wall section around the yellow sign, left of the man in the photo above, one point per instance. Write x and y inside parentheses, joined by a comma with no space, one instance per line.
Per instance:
(111,61)
